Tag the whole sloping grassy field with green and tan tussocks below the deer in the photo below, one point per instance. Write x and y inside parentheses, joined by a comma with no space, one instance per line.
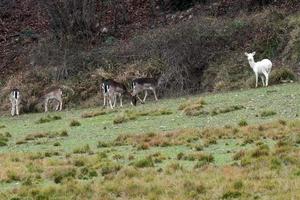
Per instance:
(242,144)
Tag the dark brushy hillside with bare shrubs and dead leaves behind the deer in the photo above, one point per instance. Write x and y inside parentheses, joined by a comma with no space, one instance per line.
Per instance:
(78,42)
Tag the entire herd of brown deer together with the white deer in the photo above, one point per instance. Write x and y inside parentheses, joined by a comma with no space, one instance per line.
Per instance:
(112,90)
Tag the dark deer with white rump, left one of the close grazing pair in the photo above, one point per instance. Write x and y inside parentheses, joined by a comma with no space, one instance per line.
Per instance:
(111,90)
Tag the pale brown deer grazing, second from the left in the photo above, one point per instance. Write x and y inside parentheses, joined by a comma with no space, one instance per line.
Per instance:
(55,93)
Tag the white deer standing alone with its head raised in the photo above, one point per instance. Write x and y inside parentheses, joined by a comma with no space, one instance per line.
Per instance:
(262,68)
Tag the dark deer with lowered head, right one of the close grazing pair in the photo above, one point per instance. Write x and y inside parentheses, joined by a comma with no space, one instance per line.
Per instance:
(143,84)
